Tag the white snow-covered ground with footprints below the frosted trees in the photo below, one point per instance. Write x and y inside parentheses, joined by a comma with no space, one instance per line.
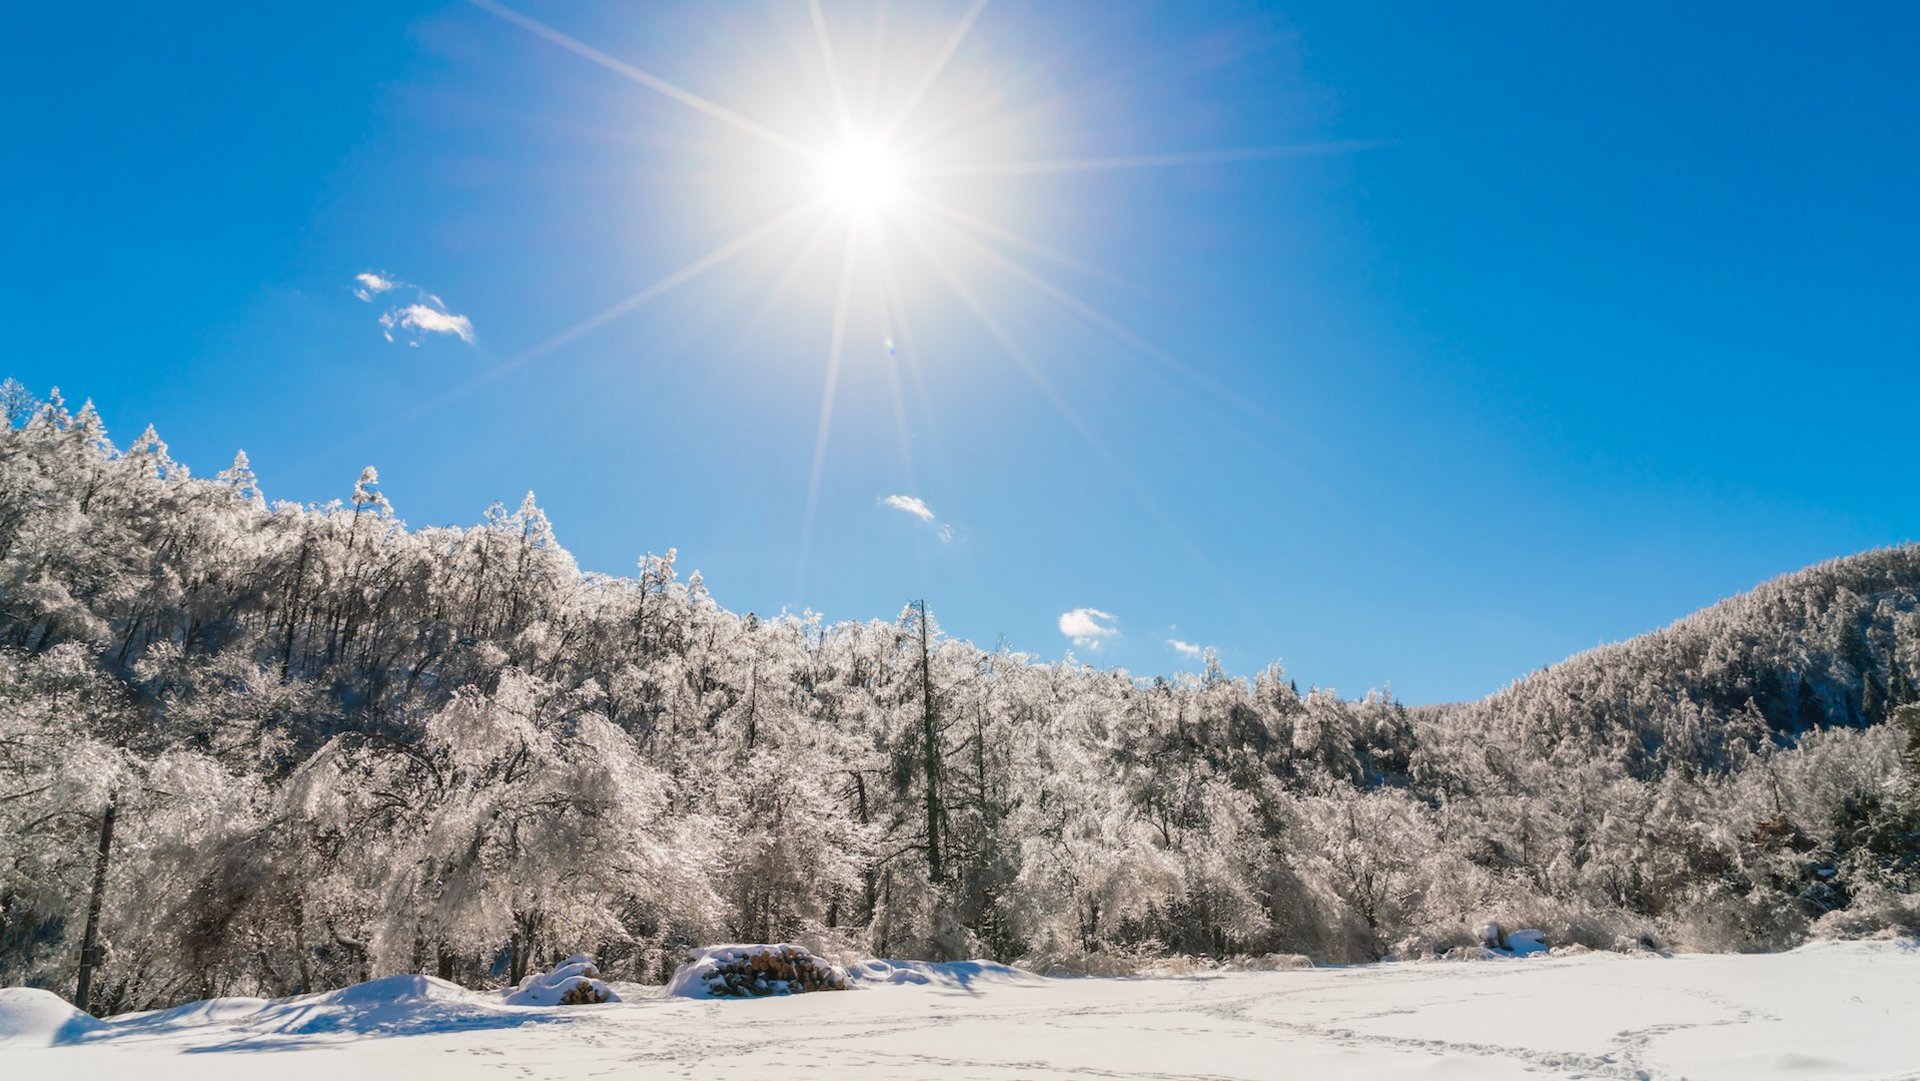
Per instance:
(1827,1011)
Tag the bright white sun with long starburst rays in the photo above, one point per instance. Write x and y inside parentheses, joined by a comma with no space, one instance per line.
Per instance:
(905,164)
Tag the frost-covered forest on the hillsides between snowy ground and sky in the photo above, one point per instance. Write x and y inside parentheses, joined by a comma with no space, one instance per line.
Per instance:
(331,748)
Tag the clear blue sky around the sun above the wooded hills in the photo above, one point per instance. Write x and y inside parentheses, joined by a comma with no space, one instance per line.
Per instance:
(1452,341)
